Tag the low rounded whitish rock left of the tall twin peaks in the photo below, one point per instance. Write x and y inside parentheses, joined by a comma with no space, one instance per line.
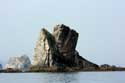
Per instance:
(21,63)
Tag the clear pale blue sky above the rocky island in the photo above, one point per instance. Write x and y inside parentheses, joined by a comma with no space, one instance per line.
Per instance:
(100,23)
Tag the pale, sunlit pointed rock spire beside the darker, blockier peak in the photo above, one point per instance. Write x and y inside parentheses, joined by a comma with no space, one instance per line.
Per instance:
(45,51)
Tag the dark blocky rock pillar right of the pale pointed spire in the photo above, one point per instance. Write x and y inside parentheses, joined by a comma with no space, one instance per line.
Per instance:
(66,40)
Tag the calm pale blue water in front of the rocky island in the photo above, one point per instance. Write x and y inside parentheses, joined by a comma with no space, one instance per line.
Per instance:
(77,77)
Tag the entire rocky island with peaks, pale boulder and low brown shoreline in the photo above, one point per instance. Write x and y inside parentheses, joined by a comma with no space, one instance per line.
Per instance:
(56,52)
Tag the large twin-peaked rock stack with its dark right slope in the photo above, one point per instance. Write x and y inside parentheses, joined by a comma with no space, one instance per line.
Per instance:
(59,49)
